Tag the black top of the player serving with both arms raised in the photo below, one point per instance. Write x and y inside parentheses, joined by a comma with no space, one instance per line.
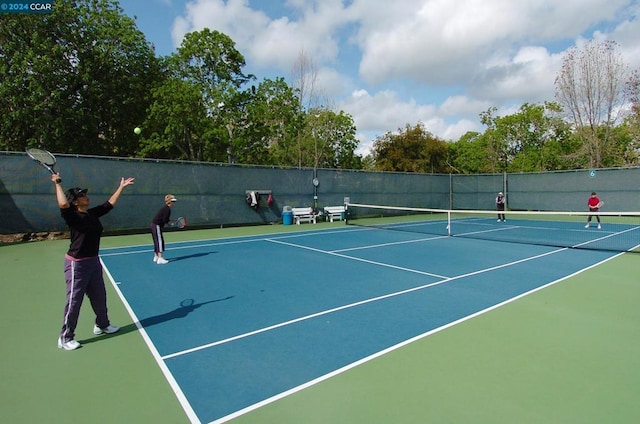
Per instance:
(86,230)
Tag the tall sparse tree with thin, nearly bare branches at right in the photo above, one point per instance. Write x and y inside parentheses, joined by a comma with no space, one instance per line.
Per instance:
(590,87)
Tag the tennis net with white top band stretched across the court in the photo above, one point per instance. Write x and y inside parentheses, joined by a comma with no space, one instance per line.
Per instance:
(617,231)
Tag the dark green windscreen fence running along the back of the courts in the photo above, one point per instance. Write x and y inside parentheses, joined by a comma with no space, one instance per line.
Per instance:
(212,195)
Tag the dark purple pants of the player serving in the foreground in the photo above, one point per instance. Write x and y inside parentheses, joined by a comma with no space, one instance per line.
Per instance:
(83,277)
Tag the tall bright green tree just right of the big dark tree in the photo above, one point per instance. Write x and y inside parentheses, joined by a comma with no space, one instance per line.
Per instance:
(209,68)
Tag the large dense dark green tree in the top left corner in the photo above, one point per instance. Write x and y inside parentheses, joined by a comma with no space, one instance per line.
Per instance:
(74,81)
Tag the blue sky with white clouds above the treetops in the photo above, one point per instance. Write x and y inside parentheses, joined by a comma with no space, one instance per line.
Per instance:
(389,63)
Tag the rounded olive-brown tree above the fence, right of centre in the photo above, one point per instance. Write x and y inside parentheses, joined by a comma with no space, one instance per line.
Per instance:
(412,150)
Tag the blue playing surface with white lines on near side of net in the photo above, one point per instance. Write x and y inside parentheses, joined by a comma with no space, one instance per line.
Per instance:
(238,322)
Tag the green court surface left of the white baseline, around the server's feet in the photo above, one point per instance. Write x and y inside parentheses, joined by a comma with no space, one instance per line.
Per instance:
(110,379)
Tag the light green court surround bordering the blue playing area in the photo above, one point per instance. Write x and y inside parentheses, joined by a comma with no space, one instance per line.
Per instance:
(552,356)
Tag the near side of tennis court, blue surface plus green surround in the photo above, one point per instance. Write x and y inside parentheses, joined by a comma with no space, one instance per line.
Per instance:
(334,323)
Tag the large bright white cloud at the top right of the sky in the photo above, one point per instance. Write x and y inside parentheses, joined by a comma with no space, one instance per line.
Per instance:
(445,41)
